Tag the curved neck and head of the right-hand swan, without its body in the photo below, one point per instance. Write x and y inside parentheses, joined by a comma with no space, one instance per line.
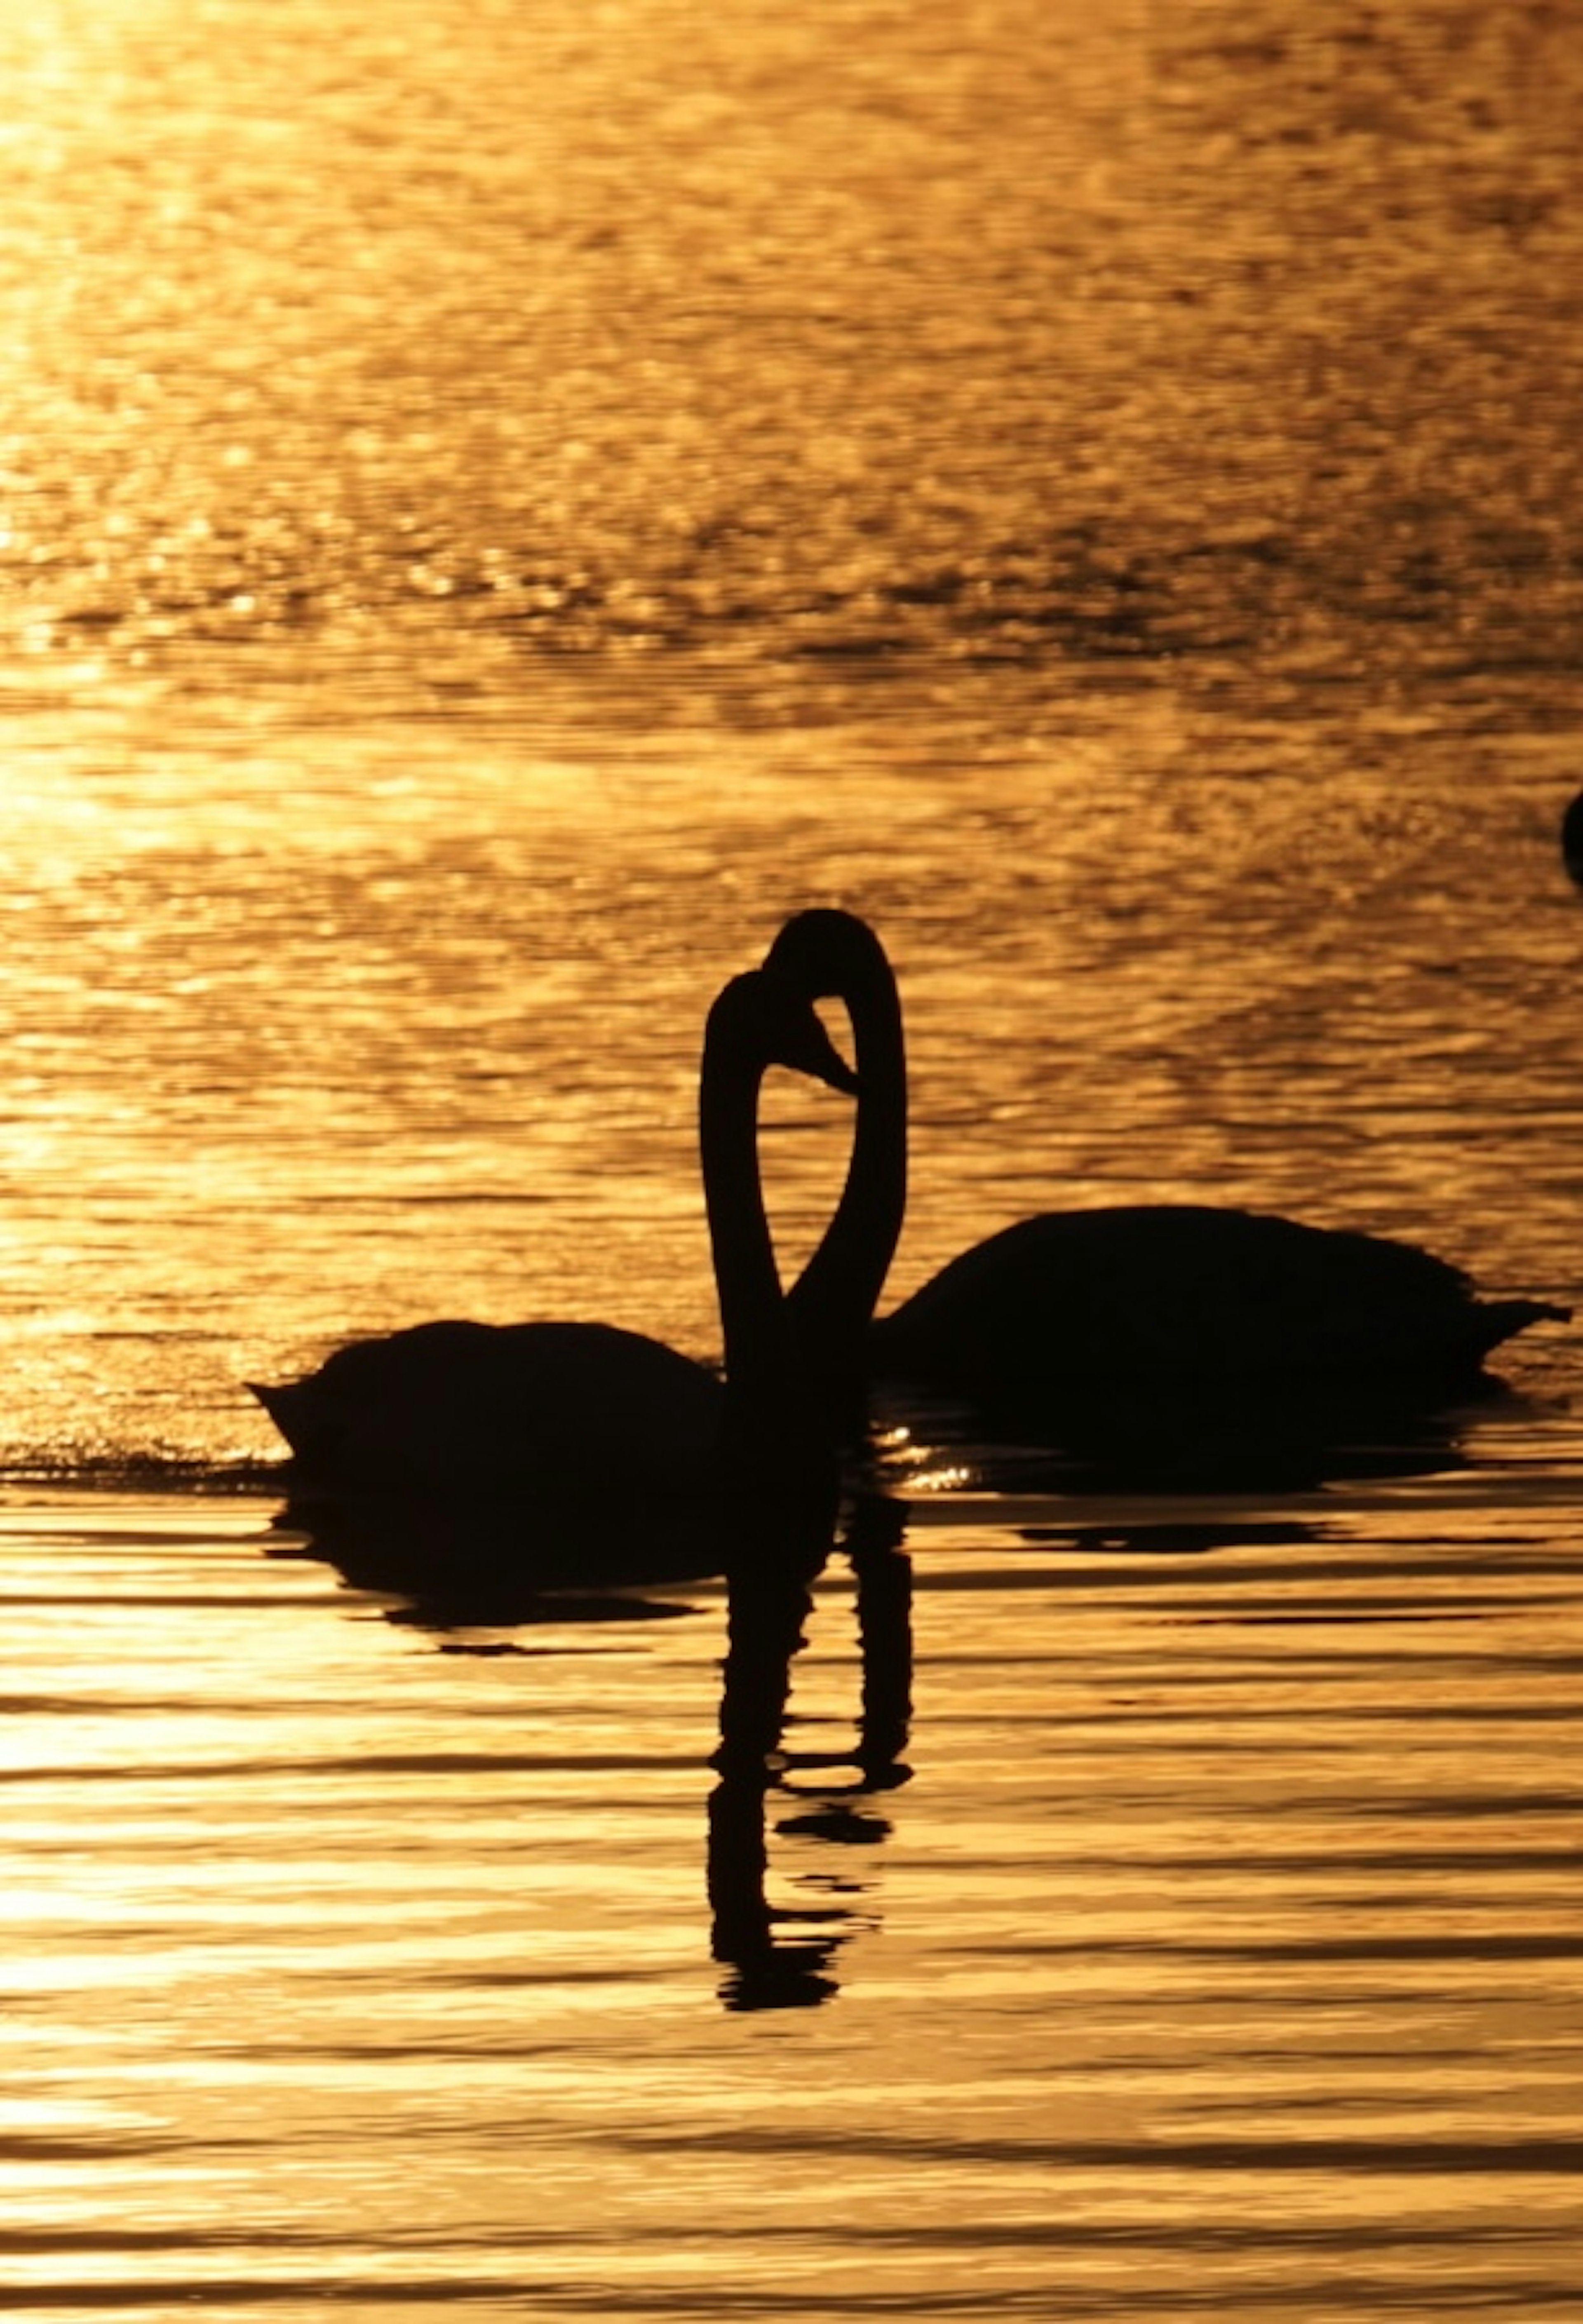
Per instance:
(836,956)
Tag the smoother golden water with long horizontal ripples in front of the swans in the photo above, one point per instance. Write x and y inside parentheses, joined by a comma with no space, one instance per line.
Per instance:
(1217,1953)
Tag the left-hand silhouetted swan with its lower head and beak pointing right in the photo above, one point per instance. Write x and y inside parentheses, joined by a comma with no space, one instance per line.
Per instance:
(552,1405)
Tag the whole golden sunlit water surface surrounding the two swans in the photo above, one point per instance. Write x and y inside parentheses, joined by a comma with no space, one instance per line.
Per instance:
(501,505)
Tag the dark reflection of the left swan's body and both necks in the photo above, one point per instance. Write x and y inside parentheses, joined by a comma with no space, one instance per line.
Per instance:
(459,1568)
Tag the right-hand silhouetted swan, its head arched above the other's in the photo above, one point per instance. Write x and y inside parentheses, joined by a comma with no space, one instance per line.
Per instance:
(1075,1303)
